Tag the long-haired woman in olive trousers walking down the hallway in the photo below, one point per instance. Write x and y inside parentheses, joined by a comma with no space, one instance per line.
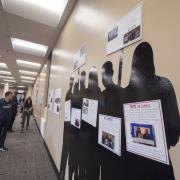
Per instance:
(27,111)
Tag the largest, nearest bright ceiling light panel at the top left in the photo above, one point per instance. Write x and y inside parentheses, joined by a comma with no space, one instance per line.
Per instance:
(47,12)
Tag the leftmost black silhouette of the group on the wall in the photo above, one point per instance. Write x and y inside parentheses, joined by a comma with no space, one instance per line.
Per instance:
(67,134)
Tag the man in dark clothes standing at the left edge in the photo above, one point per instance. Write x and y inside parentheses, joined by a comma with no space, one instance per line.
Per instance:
(5,117)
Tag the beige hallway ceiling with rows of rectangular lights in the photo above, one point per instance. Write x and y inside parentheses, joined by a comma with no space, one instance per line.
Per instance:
(30,20)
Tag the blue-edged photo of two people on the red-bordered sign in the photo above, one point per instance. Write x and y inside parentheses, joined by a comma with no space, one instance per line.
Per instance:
(143,134)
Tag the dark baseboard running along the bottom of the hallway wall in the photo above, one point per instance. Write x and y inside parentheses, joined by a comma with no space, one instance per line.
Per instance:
(49,154)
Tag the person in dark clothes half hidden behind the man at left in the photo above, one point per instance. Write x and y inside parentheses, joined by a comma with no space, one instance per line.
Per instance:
(14,112)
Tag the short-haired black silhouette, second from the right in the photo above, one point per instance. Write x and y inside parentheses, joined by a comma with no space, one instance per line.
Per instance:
(111,164)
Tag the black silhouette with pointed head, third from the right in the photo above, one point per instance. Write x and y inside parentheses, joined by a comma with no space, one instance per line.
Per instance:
(89,158)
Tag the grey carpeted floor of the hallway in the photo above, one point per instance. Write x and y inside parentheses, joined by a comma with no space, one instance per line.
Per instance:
(26,158)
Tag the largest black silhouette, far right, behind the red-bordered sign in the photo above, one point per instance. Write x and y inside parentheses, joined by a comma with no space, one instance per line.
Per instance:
(144,85)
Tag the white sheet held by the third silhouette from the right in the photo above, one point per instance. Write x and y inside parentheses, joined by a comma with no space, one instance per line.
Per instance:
(89,111)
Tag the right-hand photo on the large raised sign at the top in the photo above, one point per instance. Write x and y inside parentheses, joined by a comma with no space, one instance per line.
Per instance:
(132,35)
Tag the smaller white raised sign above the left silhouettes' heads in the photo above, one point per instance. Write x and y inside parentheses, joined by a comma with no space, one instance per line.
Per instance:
(79,58)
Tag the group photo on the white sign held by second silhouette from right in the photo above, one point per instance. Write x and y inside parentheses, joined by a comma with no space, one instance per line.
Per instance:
(108,140)
